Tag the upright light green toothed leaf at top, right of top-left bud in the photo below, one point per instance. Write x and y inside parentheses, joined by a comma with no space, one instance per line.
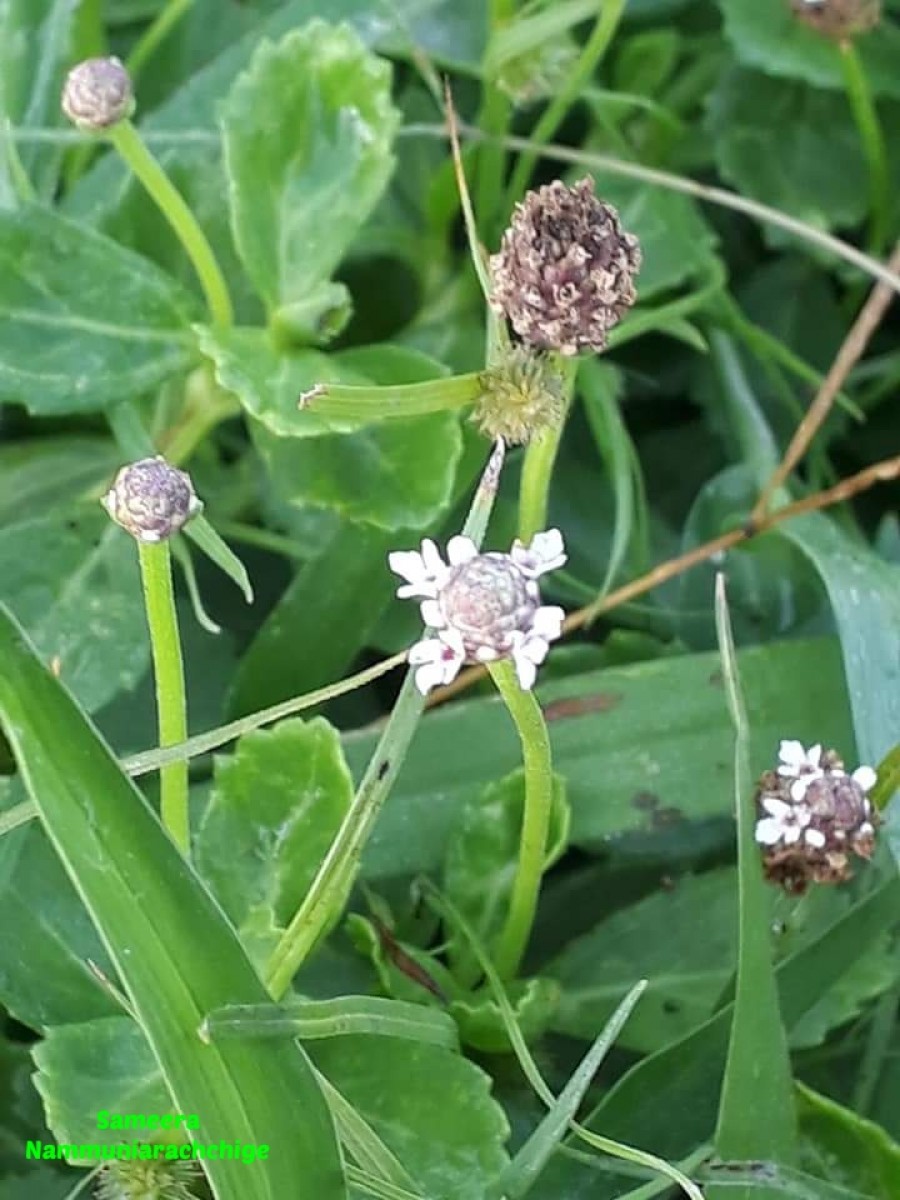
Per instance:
(308,135)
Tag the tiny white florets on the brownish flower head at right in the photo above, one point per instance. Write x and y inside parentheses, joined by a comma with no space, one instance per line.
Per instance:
(791,821)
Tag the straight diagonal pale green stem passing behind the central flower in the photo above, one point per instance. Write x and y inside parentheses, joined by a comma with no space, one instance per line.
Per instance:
(334,880)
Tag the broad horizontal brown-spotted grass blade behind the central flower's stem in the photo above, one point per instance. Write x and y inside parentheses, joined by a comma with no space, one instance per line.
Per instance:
(644,749)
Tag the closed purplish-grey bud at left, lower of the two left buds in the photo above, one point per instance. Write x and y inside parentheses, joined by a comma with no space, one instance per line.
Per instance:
(152,500)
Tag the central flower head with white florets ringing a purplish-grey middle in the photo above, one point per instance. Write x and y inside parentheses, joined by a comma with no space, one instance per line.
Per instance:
(481,608)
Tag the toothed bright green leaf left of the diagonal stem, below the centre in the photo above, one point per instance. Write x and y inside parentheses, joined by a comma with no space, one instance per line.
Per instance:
(274,812)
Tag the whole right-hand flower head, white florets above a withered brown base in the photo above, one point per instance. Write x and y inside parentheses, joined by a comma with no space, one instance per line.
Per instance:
(812,817)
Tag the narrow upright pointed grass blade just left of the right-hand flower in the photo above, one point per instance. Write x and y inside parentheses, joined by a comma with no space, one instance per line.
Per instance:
(757,1111)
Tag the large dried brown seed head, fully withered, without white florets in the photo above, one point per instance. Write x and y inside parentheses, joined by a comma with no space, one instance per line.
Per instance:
(565,273)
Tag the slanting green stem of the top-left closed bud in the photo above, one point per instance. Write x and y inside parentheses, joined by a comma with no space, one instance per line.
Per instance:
(172,205)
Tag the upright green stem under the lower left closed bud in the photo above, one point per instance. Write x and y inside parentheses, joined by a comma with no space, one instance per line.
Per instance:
(170,675)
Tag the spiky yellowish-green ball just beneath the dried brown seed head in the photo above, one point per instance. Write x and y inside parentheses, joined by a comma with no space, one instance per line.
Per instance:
(523,397)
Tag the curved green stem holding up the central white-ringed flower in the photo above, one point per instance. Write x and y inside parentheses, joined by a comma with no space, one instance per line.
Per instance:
(533,735)
